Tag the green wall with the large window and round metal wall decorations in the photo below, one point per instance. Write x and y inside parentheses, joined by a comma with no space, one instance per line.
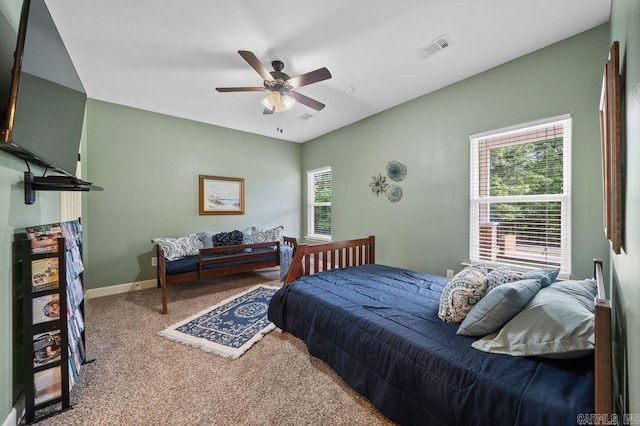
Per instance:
(428,230)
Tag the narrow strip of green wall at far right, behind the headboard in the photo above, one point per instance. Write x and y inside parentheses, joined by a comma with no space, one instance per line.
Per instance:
(625,28)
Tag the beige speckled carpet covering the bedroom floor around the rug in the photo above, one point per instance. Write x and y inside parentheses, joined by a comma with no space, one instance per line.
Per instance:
(140,378)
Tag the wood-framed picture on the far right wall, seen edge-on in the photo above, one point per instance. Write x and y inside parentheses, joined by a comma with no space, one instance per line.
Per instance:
(611,145)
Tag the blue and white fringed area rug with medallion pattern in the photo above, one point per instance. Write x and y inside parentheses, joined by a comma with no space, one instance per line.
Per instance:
(229,328)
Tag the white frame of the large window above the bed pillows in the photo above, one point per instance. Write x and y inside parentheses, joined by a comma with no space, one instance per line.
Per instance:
(476,199)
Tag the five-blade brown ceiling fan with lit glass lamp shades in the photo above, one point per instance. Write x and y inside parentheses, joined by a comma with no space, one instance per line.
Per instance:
(280,86)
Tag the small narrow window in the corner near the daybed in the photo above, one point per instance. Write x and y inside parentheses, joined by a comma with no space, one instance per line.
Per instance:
(319,205)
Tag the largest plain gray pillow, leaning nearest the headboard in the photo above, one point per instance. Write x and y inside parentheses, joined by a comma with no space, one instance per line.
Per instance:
(556,323)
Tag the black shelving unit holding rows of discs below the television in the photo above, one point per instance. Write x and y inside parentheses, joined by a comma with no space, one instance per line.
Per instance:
(54,343)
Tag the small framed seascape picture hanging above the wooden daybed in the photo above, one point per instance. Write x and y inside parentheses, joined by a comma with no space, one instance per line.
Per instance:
(221,195)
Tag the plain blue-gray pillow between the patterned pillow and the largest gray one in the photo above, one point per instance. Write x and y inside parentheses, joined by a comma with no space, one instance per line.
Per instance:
(497,307)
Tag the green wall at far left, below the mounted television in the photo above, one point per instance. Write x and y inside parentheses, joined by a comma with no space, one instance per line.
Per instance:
(15,215)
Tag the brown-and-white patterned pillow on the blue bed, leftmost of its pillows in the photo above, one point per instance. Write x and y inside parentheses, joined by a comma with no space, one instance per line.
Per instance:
(463,291)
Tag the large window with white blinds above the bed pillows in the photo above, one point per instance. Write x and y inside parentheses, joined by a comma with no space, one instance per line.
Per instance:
(521,195)
